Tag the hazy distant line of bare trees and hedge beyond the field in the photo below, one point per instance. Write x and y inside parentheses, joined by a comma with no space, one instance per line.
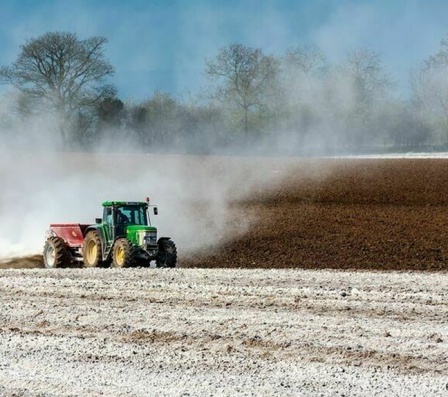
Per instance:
(296,104)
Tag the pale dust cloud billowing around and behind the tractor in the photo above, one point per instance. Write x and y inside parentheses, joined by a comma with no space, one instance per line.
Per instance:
(193,194)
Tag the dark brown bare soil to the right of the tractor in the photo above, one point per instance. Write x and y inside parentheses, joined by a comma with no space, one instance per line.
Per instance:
(364,214)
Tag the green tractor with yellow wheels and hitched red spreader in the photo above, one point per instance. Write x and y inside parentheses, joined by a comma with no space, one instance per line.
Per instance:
(124,237)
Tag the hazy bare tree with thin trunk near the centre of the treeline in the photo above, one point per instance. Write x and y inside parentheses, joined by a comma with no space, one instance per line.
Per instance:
(244,77)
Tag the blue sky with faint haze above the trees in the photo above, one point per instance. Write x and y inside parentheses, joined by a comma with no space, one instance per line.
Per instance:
(163,45)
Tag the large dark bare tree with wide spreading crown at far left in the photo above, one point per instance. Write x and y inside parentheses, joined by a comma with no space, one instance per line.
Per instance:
(62,74)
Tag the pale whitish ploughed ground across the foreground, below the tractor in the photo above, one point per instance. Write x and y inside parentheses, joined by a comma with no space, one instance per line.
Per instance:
(213,332)
